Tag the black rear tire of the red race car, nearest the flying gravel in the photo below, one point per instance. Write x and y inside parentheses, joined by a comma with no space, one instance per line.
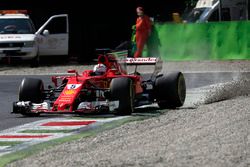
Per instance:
(170,90)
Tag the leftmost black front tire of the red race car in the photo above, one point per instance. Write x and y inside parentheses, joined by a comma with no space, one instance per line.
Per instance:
(31,89)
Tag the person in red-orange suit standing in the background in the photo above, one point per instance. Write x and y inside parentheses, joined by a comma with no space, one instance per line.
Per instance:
(143,30)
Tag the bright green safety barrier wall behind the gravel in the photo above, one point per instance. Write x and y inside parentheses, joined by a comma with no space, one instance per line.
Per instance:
(201,41)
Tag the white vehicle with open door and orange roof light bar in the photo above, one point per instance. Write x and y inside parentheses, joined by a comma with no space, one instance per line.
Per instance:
(18,37)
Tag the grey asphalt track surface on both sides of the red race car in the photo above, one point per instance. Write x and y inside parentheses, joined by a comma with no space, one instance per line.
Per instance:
(9,93)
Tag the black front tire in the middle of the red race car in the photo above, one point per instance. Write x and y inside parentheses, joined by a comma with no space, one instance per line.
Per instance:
(122,89)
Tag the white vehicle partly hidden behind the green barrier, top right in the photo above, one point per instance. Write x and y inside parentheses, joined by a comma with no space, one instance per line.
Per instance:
(218,10)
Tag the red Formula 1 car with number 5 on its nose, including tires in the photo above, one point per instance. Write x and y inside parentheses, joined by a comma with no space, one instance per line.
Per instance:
(114,91)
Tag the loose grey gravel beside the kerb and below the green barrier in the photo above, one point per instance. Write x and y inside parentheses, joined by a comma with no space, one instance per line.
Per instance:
(216,133)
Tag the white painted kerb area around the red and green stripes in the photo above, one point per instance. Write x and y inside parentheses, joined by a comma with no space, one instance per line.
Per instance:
(29,141)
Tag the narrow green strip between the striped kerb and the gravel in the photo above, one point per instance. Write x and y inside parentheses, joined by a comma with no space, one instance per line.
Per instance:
(8,158)
